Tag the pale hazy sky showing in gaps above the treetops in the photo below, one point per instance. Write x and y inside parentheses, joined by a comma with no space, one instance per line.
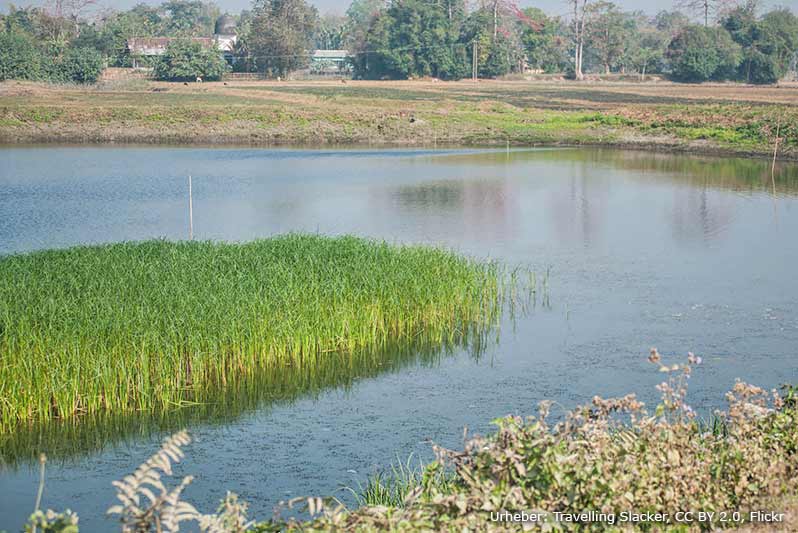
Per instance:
(554,7)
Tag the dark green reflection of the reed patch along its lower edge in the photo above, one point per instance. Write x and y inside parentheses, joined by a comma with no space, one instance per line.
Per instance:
(66,441)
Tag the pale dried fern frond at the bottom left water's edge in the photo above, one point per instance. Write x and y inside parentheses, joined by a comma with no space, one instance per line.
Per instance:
(164,510)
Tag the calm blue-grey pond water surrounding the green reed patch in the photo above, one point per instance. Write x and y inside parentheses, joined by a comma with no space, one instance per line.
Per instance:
(642,249)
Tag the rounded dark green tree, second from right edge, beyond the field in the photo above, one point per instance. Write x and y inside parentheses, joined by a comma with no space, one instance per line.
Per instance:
(699,54)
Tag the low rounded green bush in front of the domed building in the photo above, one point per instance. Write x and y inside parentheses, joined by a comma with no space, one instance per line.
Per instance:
(185,60)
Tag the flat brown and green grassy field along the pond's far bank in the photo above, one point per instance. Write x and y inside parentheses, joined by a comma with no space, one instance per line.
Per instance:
(703,118)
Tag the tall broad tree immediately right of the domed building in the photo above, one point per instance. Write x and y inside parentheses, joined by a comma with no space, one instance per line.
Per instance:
(281,35)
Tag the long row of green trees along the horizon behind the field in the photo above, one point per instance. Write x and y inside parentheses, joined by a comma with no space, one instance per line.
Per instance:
(400,39)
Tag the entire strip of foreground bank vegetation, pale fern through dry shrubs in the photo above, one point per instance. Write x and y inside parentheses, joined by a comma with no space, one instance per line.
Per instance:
(632,469)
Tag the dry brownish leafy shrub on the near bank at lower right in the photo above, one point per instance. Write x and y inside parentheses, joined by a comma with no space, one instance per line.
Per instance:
(612,456)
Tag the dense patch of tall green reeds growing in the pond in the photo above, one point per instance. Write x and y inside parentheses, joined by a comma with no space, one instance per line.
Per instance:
(153,325)
